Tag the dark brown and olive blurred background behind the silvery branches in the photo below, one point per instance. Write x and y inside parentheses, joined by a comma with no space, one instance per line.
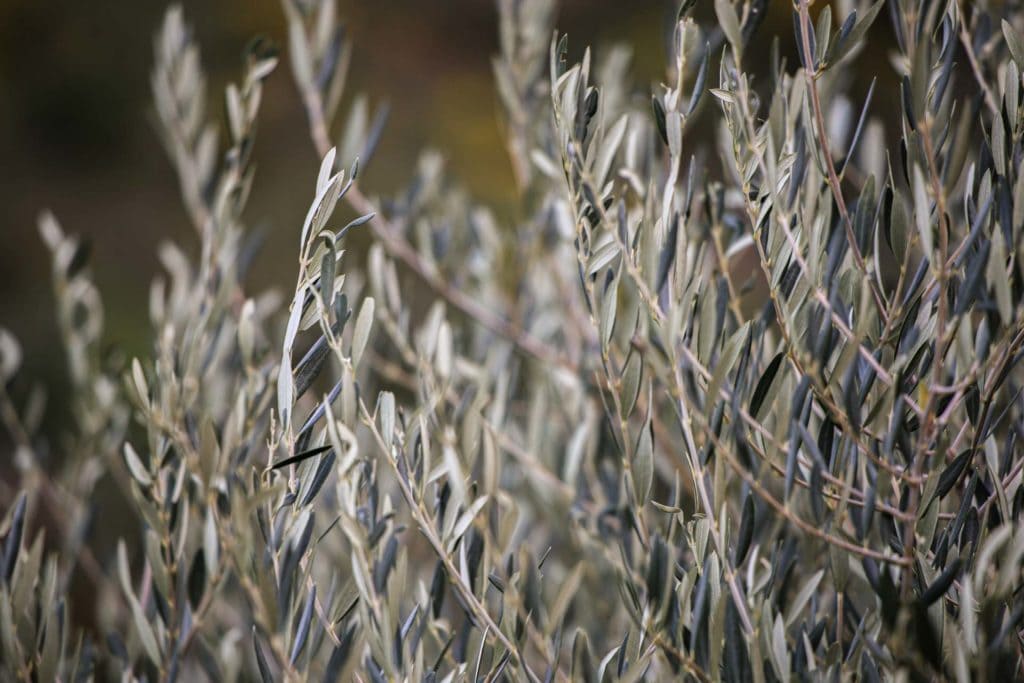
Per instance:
(77,134)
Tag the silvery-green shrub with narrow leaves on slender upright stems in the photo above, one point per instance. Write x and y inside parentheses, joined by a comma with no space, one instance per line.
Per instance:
(739,406)
